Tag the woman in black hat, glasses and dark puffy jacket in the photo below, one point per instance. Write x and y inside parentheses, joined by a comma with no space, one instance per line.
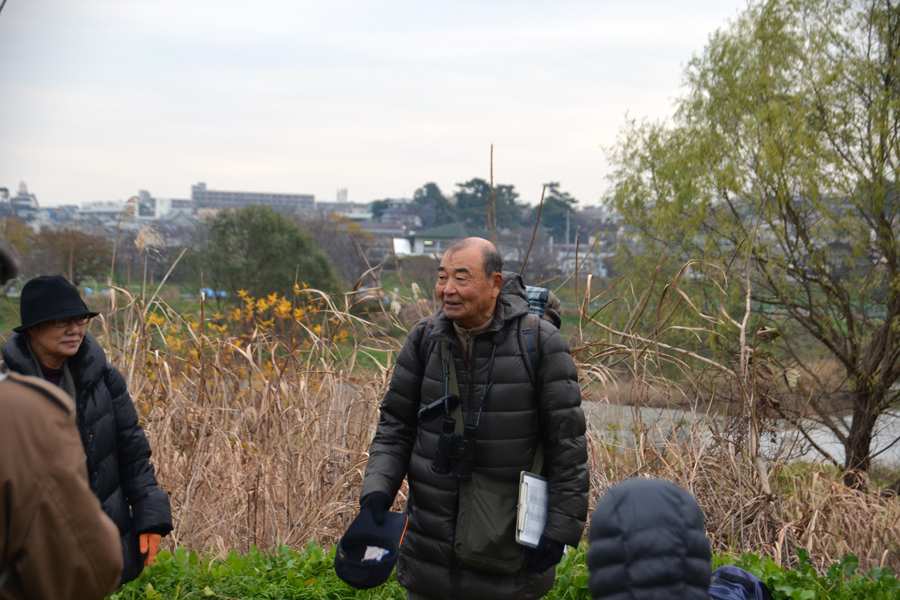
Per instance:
(52,343)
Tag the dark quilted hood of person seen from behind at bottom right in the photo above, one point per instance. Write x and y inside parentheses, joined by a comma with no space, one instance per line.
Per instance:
(648,542)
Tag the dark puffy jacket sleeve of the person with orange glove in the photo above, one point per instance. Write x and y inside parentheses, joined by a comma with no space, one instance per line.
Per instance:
(149,502)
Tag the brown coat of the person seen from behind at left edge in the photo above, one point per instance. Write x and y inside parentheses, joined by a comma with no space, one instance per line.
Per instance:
(51,527)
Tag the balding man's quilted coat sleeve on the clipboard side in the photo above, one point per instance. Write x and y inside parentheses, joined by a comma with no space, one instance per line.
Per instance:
(565,446)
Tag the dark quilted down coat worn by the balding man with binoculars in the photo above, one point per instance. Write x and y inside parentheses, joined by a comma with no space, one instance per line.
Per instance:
(515,414)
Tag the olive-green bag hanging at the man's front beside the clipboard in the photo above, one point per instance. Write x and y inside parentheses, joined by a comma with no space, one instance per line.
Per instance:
(486,526)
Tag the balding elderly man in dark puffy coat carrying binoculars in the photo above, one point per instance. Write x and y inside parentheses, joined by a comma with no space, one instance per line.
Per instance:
(460,543)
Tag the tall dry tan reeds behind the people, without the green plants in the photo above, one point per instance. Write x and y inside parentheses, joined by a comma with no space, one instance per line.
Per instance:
(260,434)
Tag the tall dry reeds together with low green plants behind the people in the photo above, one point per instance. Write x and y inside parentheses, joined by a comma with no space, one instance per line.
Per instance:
(260,417)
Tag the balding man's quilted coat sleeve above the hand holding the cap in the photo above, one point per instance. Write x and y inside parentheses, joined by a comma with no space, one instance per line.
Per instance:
(392,445)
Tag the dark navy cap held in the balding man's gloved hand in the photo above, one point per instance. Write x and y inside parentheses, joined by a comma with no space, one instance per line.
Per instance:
(367,552)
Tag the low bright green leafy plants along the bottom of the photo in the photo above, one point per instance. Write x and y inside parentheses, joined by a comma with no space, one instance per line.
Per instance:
(308,574)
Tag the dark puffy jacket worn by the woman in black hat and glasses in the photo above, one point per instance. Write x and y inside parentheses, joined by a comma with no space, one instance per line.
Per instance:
(116,450)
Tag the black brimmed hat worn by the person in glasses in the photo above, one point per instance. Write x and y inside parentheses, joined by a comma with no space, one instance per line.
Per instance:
(49,297)
